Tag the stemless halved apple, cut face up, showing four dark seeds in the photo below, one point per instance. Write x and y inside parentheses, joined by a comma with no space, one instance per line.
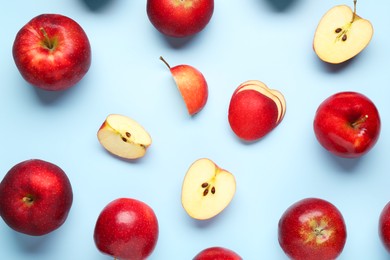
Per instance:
(207,189)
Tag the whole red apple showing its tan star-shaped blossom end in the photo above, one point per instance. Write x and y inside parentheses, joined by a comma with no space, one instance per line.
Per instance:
(312,228)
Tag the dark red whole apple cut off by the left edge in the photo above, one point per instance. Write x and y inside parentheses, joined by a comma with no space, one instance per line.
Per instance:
(36,197)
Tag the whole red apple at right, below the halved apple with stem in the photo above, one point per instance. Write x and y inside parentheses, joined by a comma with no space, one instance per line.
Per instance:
(347,124)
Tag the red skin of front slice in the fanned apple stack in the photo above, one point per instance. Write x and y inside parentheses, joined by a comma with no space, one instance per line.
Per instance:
(252,115)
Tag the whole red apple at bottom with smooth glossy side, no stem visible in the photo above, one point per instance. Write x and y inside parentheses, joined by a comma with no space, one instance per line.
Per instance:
(126,229)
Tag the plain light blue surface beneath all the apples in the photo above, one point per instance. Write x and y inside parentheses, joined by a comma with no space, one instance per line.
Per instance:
(252,39)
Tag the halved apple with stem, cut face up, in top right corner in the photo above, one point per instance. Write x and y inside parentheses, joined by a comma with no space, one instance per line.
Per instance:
(341,34)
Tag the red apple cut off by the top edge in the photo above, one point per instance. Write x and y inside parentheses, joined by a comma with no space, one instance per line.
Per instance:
(179,18)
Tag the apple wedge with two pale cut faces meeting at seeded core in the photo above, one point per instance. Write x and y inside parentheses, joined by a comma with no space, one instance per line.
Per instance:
(124,137)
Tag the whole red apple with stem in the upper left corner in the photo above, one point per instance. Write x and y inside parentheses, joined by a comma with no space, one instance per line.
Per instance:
(52,52)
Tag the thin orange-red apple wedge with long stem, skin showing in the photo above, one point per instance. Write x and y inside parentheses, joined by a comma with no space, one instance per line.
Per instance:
(191,84)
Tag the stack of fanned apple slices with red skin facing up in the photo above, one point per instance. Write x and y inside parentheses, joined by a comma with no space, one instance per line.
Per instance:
(255,110)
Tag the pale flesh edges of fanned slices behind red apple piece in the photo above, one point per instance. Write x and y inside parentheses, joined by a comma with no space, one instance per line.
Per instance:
(273,94)
